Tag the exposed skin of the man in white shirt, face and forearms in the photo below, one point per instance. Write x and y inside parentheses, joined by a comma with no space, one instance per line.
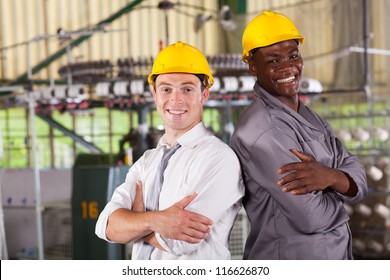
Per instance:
(179,100)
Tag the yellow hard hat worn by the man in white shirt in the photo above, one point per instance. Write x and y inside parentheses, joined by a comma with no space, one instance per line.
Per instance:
(181,58)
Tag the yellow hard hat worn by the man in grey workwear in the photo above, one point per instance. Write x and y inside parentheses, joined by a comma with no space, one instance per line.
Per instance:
(266,29)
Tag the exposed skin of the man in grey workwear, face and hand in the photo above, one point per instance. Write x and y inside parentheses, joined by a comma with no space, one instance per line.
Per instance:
(278,69)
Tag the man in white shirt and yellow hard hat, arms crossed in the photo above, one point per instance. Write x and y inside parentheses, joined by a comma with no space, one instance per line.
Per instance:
(202,186)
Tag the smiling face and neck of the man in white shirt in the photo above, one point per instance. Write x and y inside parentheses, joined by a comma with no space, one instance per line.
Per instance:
(179,99)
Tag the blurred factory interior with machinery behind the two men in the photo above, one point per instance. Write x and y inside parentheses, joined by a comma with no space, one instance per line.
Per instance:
(76,110)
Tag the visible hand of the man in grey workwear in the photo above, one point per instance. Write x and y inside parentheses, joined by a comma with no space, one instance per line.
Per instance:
(306,176)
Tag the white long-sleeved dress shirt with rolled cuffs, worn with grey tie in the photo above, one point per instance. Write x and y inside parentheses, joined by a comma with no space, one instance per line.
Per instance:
(203,164)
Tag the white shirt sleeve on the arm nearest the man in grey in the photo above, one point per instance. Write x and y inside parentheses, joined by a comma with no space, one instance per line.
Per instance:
(219,187)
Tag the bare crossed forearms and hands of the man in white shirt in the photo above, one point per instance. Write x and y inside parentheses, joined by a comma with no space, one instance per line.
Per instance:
(126,225)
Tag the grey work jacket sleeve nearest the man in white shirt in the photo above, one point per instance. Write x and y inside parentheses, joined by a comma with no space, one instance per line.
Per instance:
(318,211)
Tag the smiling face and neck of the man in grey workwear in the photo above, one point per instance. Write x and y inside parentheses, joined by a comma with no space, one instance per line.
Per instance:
(278,68)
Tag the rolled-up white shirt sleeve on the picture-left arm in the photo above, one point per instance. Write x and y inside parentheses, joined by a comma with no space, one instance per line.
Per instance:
(123,197)
